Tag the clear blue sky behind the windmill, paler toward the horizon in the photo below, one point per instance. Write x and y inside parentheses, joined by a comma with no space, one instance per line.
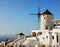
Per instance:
(15,18)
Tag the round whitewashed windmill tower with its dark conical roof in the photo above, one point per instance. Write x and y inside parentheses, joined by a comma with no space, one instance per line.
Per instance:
(46,20)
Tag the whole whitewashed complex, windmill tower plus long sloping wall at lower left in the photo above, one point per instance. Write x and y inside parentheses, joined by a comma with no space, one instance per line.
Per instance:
(48,35)
